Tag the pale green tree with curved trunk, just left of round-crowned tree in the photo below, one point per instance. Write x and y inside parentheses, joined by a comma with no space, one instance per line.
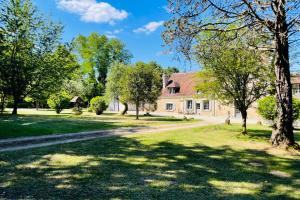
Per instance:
(115,85)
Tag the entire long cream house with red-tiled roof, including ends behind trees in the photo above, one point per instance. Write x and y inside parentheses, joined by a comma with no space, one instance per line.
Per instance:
(179,96)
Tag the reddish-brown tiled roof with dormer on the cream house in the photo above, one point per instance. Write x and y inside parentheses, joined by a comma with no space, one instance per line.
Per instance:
(186,82)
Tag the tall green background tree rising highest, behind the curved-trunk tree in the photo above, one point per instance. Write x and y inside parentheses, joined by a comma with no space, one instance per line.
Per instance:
(98,53)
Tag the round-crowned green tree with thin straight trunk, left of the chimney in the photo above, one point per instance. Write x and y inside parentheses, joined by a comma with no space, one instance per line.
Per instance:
(142,84)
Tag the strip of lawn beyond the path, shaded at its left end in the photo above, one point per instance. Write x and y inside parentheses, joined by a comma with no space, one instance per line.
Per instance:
(44,122)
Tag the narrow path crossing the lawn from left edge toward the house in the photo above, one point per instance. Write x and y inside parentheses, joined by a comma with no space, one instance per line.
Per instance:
(49,140)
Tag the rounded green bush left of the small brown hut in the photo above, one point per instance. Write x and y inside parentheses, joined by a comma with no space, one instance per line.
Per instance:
(59,101)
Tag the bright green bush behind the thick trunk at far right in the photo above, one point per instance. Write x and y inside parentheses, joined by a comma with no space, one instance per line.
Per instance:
(267,108)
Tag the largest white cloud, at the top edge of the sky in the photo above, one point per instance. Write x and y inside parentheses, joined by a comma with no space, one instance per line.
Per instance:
(92,11)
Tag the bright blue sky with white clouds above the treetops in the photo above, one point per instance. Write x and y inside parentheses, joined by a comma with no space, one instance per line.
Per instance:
(138,23)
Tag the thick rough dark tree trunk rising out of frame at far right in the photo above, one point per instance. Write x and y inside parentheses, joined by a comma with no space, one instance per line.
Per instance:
(283,133)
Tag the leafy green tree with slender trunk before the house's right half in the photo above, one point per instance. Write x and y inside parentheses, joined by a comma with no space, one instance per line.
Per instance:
(232,72)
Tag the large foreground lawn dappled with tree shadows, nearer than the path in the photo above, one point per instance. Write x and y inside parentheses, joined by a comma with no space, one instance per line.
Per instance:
(213,162)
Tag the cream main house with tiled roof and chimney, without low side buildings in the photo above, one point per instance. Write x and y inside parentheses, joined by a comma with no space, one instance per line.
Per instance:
(179,96)
